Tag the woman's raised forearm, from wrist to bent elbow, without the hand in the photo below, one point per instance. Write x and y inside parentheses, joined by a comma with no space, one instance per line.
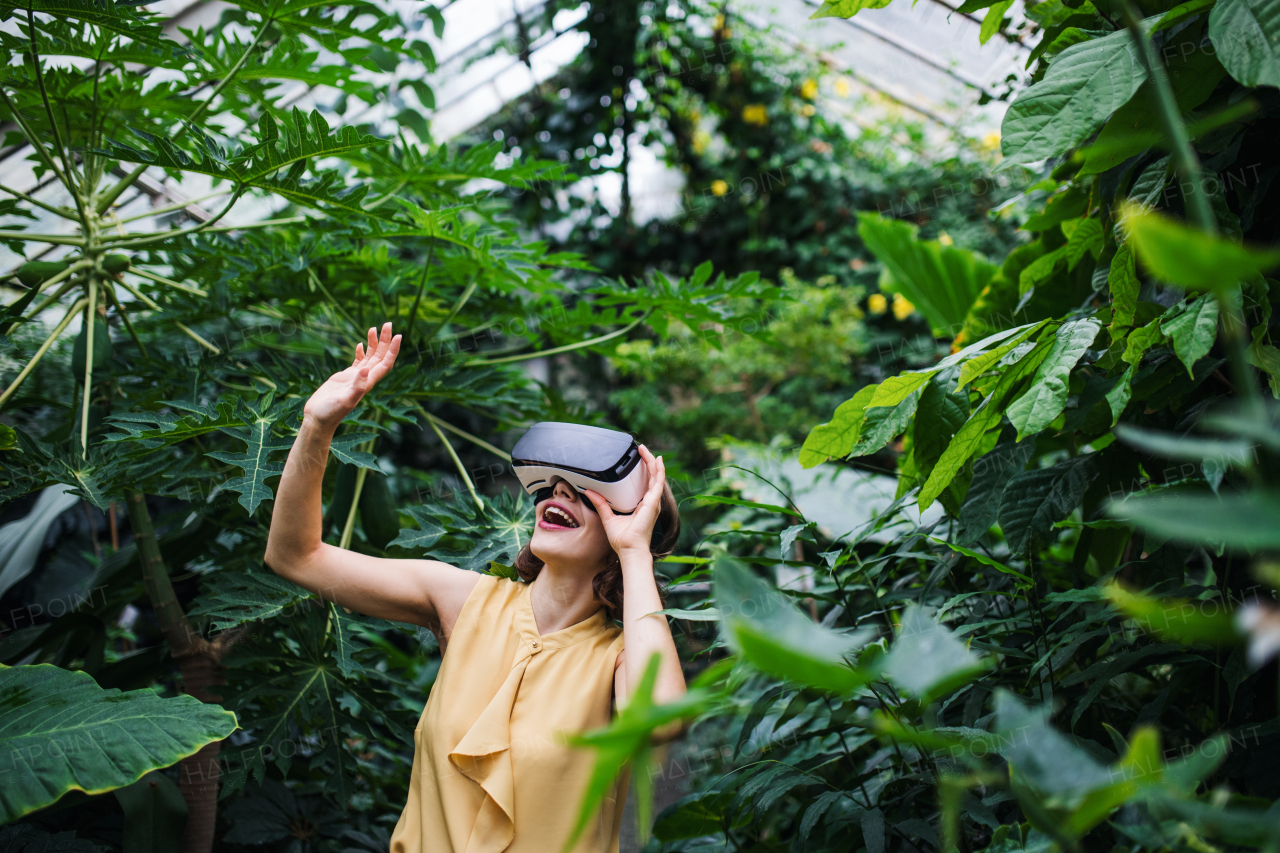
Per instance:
(296,516)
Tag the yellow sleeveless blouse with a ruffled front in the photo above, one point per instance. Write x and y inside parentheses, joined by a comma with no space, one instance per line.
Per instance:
(490,770)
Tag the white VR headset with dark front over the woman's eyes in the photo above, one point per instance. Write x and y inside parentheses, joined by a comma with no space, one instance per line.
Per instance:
(587,458)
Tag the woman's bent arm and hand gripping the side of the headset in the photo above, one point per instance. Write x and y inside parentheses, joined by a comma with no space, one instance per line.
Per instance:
(644,631)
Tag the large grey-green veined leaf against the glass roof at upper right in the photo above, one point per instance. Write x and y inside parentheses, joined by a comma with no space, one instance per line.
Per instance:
(1080,92)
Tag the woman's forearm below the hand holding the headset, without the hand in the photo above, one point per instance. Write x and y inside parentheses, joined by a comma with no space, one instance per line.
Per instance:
(644,633)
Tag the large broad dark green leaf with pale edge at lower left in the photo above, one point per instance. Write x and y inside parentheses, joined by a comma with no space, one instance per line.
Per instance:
(61,732)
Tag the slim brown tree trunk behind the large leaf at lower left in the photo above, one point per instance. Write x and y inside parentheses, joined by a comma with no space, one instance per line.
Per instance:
(199,662)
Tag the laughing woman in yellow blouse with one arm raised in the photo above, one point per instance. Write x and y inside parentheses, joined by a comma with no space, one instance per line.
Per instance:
(524,663)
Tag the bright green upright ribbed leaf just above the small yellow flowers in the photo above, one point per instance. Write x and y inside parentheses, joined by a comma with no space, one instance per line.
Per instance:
(941,282)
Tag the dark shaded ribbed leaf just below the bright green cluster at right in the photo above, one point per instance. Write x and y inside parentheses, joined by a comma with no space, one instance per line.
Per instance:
(1036,500)
